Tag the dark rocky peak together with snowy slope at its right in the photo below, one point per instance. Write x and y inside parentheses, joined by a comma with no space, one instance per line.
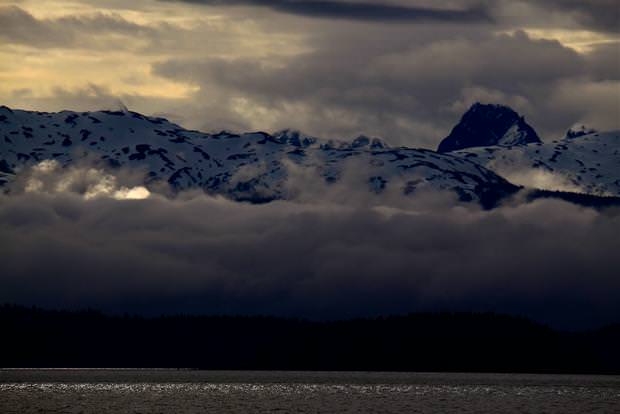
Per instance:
(583,161)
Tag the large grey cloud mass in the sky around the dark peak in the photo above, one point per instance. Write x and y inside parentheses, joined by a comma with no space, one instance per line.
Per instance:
(410,92)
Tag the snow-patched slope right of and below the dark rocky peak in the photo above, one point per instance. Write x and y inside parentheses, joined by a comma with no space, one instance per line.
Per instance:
(584,161)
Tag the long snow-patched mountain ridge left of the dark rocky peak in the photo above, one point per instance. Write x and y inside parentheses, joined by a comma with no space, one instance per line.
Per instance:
(252,166)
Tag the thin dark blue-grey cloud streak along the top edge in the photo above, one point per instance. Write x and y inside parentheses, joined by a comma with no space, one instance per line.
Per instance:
(350,10)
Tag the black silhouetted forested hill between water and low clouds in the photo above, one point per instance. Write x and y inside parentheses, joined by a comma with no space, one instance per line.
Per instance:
(33,337)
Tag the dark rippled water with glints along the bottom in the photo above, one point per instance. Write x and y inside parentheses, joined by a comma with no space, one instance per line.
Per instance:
(180,391)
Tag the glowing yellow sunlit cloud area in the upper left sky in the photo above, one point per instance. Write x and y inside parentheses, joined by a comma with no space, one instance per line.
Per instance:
(115,46)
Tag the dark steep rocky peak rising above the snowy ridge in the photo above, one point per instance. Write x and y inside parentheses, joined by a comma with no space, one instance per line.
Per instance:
(486,125)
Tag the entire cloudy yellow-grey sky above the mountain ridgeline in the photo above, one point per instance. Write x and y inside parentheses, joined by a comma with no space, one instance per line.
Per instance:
(401,70)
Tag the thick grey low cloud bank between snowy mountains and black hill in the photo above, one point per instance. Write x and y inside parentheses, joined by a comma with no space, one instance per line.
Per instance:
(326,254)
